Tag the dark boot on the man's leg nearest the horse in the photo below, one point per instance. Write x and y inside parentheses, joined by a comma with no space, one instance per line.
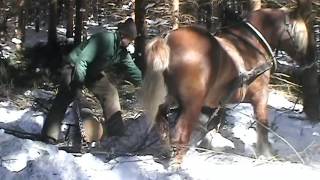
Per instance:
(114,126)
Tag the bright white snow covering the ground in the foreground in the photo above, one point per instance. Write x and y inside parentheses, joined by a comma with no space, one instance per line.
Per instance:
(232,155)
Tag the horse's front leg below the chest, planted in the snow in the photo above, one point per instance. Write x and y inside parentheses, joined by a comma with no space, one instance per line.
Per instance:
(263,146)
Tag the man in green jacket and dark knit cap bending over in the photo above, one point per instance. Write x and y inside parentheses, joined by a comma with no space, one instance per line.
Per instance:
(88,65)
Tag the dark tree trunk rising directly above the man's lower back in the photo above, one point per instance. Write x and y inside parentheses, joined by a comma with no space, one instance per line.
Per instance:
(78,22)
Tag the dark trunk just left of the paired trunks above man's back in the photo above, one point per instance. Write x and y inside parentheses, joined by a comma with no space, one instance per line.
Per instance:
(53,20)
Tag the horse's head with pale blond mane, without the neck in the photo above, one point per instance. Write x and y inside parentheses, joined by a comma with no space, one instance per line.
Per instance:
(296,33)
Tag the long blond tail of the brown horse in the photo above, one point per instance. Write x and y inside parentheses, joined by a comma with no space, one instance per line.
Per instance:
(154,90)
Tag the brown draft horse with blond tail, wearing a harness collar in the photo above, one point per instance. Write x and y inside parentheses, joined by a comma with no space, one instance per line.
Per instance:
(194,69)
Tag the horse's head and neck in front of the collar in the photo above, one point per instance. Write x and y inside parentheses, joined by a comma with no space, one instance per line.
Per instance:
(288,29)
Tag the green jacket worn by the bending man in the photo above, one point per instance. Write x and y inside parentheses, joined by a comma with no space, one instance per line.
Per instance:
(100,53)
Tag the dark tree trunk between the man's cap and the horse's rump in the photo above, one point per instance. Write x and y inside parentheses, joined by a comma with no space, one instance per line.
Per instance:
(140,16)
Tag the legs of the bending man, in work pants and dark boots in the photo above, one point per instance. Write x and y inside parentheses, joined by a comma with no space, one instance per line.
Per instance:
(100,86)
